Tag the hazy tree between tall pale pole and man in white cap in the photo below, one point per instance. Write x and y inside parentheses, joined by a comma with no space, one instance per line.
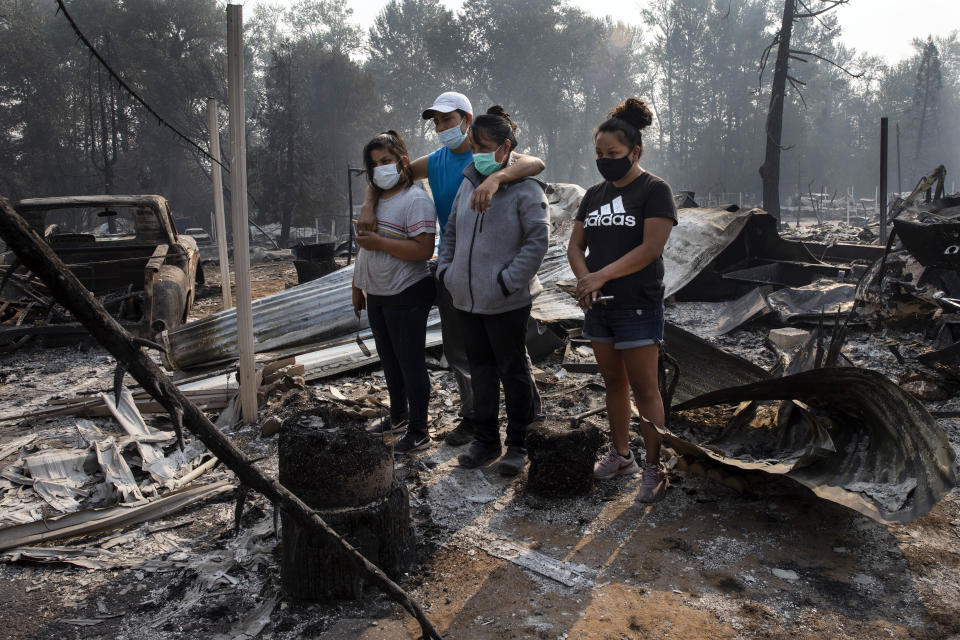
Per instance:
(315,109)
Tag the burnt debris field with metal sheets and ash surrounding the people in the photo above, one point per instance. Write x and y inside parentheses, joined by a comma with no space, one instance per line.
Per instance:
(811,447)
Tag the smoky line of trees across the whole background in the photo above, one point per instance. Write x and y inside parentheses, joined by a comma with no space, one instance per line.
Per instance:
(319,86)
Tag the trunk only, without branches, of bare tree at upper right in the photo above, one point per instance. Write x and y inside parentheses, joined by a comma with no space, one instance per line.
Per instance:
(770,169)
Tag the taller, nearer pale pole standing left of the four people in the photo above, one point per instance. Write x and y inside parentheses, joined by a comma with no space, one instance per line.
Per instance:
(241,235)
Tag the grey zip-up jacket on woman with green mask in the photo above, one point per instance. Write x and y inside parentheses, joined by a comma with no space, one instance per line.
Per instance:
(489,261)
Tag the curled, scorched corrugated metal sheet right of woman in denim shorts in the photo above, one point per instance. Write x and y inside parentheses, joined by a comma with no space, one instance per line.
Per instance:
(850,435)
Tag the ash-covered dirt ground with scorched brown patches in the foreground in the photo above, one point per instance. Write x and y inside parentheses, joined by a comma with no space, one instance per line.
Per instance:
(494,561)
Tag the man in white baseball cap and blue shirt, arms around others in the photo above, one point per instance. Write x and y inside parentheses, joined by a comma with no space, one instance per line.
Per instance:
(452,113)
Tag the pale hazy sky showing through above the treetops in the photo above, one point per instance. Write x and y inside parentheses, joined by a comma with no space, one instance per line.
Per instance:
(879,27)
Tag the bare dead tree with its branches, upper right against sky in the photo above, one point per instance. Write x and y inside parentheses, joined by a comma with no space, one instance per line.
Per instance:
(793,11)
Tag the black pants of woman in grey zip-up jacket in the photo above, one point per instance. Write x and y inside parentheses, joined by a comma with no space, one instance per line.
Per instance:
(497,351)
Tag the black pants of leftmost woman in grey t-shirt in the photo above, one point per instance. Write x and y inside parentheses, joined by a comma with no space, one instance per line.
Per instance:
(399,325)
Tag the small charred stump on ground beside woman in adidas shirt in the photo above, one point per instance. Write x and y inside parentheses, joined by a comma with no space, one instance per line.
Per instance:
(561,457)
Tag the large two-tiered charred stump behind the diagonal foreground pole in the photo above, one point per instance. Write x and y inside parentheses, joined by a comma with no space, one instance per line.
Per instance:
(345,474)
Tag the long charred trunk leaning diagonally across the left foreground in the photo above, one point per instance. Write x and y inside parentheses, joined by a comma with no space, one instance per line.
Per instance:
(37,256)
